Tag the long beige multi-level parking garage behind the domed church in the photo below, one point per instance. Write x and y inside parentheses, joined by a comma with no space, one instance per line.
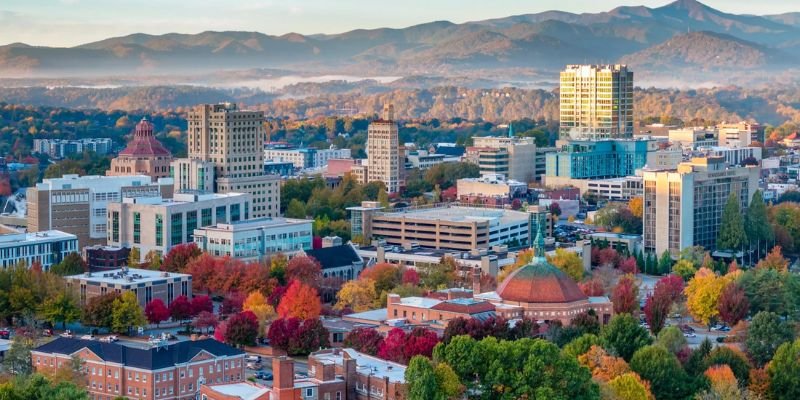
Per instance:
(447,227)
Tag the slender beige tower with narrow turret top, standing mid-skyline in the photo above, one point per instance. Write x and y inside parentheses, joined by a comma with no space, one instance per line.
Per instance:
(385,159)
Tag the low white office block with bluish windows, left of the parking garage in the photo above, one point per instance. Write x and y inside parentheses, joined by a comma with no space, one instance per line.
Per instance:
(255,239)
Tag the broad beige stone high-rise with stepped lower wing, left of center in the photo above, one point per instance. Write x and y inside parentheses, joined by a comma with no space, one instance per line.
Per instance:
(233,140)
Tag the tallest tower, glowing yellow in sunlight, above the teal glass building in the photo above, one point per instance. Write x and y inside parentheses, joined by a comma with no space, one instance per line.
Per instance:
(596,102)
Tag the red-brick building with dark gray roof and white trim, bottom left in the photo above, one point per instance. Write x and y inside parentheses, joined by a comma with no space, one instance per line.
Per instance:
(172,372)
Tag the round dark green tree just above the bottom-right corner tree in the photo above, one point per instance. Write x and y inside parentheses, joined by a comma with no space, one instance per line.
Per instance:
(765,334)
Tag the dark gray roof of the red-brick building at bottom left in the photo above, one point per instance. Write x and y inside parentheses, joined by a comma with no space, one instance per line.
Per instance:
(149,359)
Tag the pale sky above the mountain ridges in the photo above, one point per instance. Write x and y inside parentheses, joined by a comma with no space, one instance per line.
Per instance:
(73,22)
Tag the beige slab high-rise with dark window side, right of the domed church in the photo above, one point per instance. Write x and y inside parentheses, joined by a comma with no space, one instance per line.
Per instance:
(683,207)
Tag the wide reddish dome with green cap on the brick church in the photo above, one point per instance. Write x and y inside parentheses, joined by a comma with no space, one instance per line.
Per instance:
(540,282)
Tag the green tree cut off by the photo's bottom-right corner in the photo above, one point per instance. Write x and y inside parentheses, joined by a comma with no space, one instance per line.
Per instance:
(784,372)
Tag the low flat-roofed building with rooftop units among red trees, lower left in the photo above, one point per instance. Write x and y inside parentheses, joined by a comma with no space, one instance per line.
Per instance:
(146,284)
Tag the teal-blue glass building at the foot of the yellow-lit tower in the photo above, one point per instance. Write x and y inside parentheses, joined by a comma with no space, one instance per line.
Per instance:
(587,159)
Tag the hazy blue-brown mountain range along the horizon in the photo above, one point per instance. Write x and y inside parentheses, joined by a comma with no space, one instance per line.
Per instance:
(681,37)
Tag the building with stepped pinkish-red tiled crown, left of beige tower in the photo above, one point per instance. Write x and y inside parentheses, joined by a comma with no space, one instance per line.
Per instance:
(144,155)
